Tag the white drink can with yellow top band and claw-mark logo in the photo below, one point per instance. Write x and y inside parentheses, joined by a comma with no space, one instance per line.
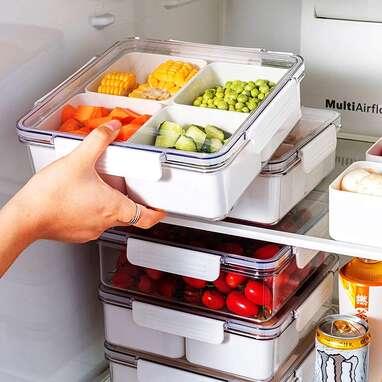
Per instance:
(342,349)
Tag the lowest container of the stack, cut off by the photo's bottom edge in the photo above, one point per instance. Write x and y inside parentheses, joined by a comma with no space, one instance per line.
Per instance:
(132,366)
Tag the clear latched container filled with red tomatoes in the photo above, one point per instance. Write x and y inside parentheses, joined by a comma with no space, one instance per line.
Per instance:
(207,271)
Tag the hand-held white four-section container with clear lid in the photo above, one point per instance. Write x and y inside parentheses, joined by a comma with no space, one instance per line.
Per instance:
(182,182)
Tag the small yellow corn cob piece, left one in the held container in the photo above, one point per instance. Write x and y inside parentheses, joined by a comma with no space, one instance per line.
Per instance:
(118,83)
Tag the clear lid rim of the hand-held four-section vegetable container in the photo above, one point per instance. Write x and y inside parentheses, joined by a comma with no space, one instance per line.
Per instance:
(30,130)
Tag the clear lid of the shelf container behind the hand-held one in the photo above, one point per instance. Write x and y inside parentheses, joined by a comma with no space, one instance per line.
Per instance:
(312,123)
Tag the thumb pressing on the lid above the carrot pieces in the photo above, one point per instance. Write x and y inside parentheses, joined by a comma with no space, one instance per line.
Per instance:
(97,141)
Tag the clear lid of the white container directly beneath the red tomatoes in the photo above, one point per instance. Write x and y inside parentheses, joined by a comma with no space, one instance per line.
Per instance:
(265,331)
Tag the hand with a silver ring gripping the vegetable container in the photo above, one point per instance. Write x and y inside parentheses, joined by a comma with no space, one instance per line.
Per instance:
(68,201)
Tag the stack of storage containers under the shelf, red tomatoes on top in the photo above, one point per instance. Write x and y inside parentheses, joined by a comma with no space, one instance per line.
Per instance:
(210,300)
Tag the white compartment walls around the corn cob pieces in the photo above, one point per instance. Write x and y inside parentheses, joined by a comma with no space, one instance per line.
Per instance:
(142,64)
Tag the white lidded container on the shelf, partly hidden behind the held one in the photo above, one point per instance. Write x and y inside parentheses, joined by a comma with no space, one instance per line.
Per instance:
(305,158)
